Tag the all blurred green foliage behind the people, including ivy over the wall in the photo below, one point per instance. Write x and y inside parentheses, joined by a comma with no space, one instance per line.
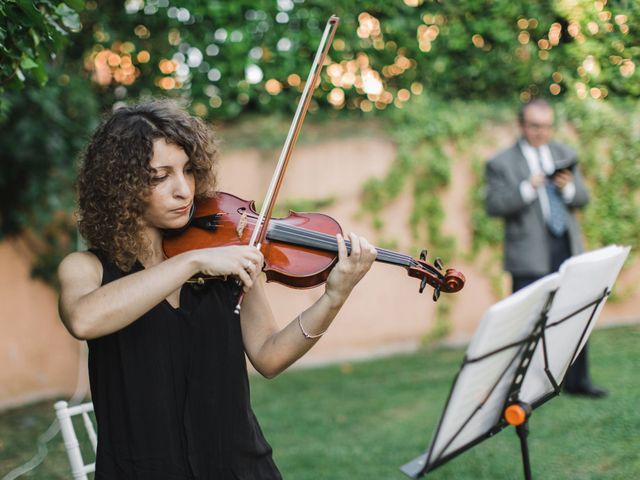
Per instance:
(432,72)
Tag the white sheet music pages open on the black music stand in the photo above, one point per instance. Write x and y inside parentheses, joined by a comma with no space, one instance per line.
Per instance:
(481,389)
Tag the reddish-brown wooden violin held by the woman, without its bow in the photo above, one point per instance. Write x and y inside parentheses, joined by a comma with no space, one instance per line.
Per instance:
(299,250)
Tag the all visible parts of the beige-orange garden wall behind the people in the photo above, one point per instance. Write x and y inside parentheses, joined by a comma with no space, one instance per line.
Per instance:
(385,313)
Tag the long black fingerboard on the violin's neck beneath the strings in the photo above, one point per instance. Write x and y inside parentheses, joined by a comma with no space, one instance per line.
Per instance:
(328,243)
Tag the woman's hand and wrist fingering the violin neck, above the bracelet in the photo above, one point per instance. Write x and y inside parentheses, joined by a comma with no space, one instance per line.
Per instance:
(351,267)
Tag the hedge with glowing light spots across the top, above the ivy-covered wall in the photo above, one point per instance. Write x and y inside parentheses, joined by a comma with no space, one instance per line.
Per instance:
(234,57)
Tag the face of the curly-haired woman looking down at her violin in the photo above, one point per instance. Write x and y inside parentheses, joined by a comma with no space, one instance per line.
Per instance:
(173,186)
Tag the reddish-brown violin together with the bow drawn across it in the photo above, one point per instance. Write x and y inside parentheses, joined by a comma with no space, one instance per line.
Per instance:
(301,249)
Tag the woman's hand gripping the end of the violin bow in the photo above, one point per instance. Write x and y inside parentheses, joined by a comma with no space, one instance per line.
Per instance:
(243,262)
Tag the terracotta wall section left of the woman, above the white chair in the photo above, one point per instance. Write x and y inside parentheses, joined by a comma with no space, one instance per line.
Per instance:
(38,358)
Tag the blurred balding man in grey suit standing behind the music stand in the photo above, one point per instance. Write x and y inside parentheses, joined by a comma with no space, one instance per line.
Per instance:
(536,187)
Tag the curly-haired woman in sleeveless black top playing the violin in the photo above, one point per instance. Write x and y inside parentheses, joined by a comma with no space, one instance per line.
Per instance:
(167,360)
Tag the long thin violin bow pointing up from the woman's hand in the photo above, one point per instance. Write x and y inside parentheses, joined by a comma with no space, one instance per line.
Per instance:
(260,231)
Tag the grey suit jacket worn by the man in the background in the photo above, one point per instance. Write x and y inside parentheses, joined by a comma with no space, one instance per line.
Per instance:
(526,247)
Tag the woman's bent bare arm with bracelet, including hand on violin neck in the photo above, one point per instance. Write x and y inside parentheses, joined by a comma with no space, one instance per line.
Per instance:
(271,349)
